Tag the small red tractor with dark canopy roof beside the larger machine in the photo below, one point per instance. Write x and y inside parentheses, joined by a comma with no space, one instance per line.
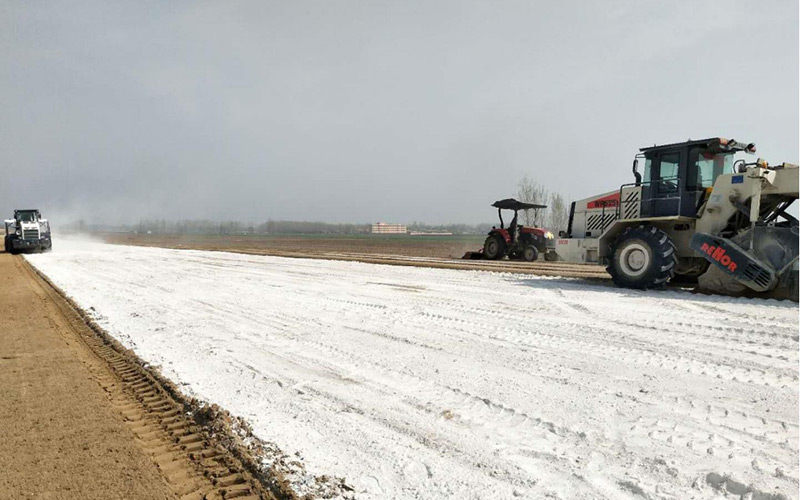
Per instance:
(517,241)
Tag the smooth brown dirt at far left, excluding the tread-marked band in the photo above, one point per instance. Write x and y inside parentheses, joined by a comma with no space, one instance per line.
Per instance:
(60,435)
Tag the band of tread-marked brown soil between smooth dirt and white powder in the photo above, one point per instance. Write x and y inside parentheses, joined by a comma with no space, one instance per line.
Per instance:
(193,460)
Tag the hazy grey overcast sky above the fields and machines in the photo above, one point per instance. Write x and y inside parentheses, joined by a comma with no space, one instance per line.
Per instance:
(371,110)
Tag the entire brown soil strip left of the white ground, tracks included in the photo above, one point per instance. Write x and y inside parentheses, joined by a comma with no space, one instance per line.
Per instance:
(83,417)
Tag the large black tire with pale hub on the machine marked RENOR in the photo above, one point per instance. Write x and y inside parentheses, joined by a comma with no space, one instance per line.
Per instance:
(643,257)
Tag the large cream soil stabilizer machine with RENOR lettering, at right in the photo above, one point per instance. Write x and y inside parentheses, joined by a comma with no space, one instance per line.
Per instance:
(694,215)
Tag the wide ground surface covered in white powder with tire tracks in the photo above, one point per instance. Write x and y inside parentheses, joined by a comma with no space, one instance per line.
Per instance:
(438,384)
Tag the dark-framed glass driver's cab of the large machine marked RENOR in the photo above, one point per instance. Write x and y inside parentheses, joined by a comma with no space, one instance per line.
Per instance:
(677,177)
